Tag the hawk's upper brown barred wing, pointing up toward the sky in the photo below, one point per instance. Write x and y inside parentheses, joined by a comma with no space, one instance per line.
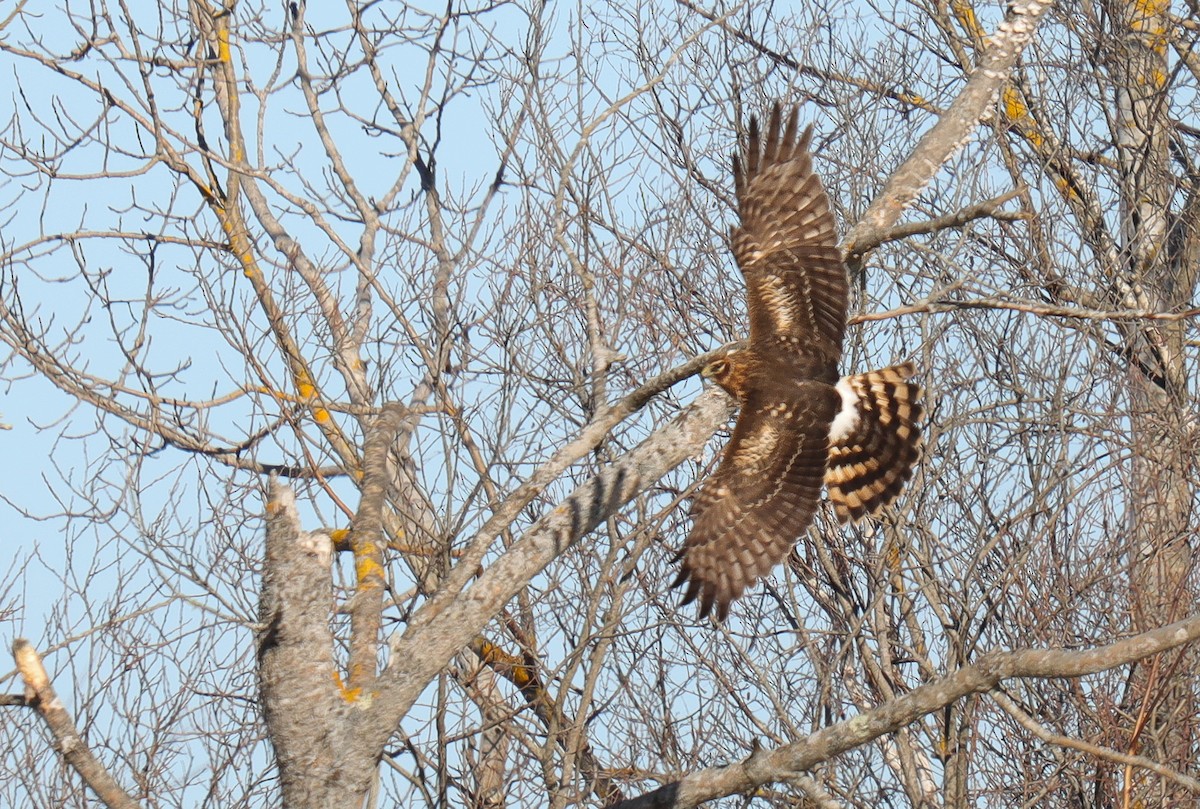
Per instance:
(788,245)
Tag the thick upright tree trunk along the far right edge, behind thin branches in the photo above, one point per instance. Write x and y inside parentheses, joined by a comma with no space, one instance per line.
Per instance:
(1160,275)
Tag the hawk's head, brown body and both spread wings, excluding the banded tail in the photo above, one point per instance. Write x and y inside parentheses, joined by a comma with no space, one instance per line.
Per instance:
(764,495)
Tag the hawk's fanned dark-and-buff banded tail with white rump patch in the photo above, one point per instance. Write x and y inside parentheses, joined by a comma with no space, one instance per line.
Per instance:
(874,442)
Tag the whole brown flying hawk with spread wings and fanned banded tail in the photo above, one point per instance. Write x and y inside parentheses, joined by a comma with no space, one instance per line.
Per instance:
(800,428)
